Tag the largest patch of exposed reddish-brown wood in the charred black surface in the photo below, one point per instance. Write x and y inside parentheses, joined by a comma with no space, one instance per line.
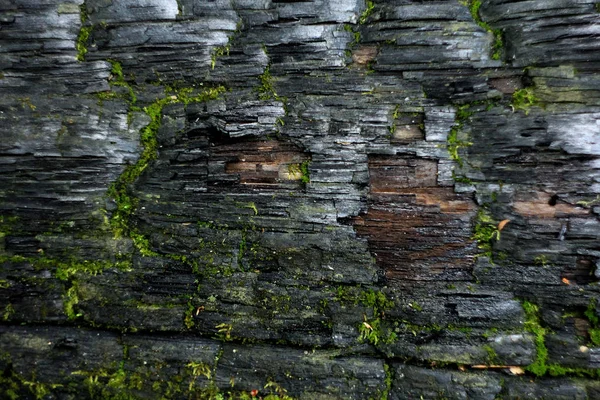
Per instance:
(416,230)
